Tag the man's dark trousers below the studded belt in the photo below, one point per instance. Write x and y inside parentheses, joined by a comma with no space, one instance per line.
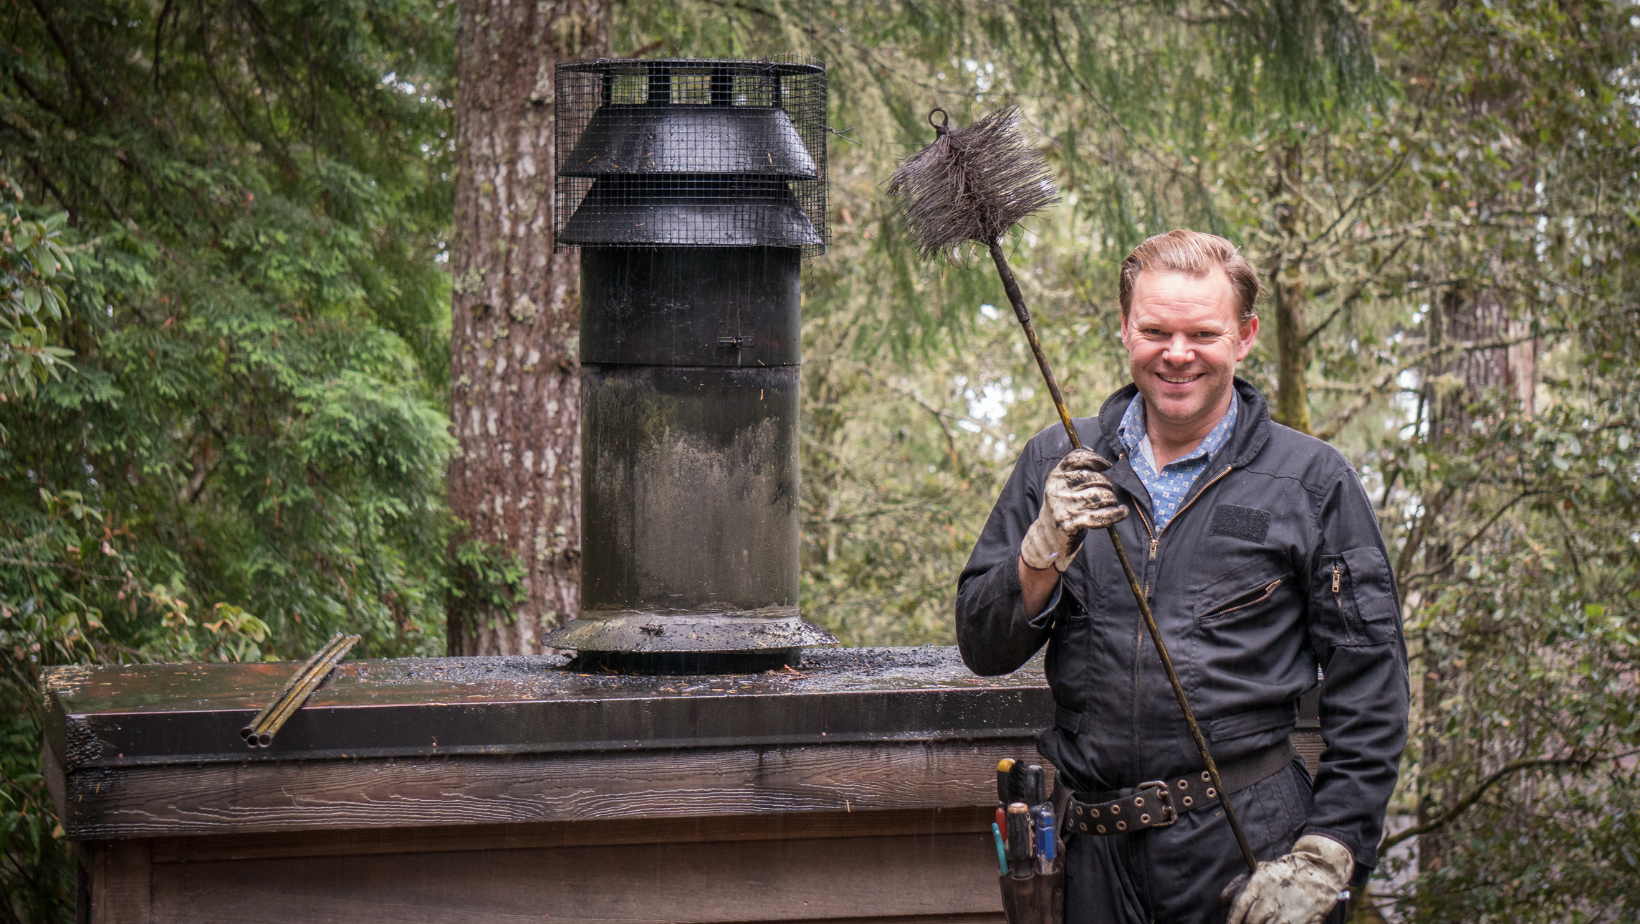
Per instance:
(1175,876)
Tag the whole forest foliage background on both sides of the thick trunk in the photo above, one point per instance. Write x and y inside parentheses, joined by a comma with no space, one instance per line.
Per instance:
(225,349)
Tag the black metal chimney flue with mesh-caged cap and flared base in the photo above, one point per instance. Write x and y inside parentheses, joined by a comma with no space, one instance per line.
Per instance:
(693,213)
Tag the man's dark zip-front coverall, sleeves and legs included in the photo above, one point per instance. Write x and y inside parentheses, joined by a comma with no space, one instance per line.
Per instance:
(1272,565)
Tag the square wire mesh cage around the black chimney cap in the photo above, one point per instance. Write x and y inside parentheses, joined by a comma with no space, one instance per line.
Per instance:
(690,152)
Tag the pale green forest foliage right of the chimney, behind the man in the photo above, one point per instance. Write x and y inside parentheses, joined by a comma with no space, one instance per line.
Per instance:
(1452,211)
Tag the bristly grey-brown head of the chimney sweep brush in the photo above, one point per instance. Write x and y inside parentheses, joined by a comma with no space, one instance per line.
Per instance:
(972,185)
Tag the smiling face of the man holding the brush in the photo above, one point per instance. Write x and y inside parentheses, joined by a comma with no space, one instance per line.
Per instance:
(1183,344)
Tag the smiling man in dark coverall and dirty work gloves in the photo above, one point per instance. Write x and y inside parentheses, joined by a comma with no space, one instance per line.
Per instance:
(1262,559)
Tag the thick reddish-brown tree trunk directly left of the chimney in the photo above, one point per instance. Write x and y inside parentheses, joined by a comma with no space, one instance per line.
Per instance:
(516,398)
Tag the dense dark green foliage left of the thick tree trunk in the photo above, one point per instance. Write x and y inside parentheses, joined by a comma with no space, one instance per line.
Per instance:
(248,452)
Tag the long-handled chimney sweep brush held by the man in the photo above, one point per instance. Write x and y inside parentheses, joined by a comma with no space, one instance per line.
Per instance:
(972,186)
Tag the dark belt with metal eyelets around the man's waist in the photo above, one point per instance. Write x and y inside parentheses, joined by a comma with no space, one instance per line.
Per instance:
(1162,802)
